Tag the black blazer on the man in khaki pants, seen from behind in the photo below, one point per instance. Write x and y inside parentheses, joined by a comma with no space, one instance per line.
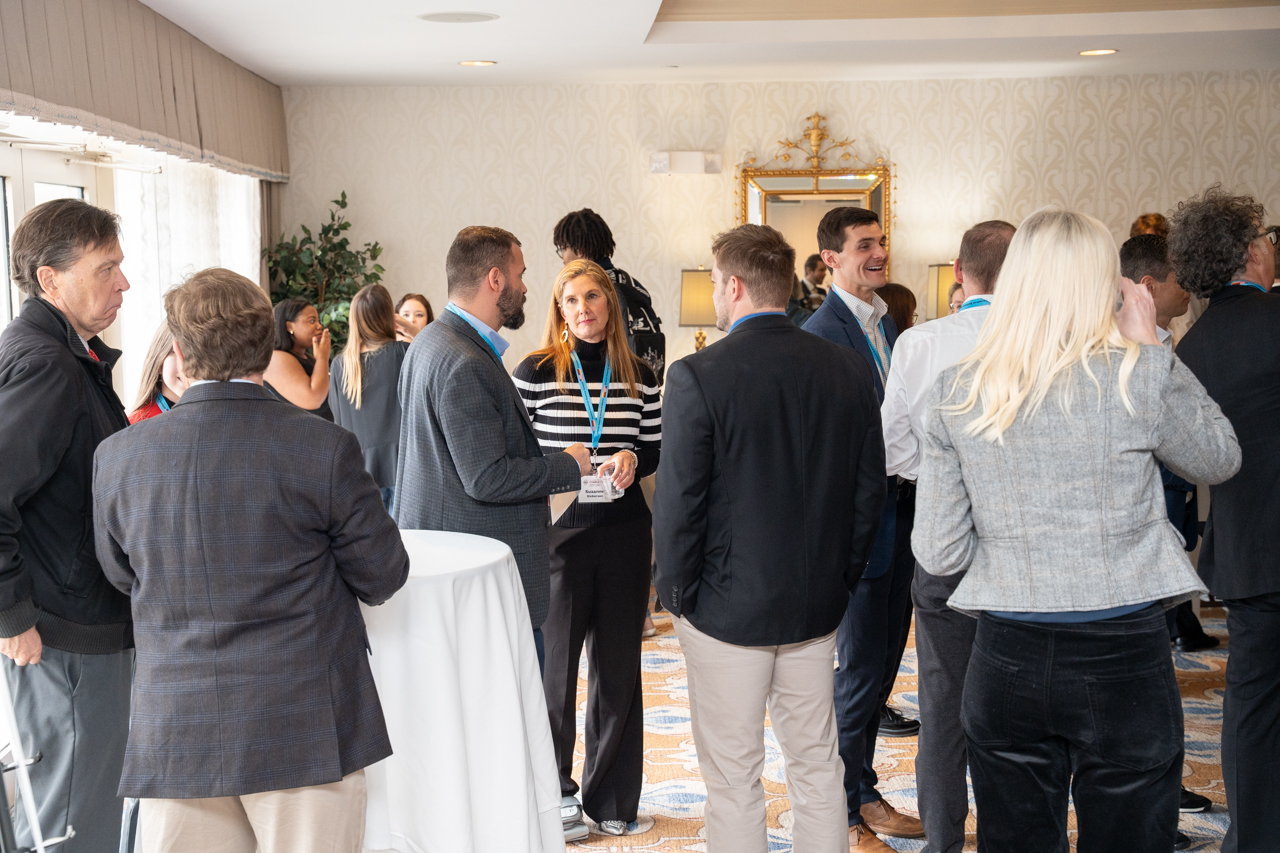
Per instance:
(771,485)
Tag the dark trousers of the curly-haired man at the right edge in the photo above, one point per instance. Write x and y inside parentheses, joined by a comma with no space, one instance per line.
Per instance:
(1251,726)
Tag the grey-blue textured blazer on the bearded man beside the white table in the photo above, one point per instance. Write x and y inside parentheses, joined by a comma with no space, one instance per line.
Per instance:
(469,459)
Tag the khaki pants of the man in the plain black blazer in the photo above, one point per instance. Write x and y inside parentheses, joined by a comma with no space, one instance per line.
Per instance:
(730,687)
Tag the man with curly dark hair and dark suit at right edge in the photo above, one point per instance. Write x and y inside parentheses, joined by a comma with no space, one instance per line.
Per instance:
(1223,250)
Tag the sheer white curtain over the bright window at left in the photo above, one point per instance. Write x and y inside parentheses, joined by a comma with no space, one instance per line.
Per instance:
(188,218)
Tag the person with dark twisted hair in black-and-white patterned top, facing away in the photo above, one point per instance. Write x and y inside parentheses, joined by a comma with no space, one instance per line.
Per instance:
(583,235)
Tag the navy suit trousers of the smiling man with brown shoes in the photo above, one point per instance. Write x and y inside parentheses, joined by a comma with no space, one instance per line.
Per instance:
(868,646)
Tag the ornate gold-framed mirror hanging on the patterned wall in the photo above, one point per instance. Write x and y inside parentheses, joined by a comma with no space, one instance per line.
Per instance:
(794,199)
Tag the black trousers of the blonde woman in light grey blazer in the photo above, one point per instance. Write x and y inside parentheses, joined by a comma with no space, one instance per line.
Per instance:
(1091,709)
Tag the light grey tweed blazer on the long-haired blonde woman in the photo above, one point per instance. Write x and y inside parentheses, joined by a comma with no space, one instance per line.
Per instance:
(1068,512)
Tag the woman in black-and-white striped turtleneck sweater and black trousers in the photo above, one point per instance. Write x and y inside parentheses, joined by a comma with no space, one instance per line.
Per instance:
(587,386)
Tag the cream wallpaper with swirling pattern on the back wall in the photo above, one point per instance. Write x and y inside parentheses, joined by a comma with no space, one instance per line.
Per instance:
(419,165)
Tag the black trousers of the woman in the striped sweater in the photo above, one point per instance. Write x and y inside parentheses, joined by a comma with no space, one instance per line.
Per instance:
(600,595)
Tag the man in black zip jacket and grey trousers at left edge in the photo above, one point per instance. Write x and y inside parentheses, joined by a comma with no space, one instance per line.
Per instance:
(65,631)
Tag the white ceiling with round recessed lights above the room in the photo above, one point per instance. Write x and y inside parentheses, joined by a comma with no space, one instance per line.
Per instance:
(345,43)
